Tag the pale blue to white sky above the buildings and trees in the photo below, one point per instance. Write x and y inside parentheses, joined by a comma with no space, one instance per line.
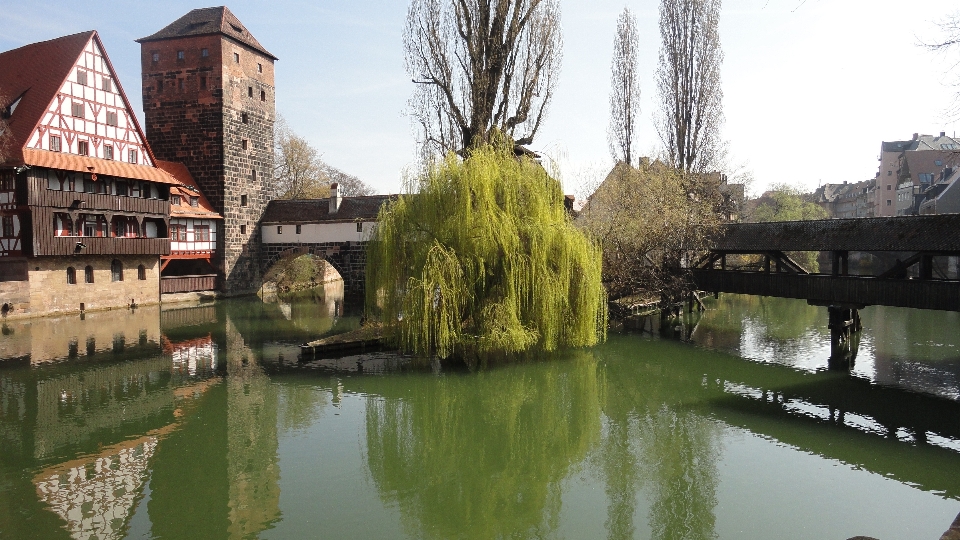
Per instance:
(811,87)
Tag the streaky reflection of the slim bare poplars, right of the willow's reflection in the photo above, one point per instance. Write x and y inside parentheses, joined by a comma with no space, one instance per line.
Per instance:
(656,438)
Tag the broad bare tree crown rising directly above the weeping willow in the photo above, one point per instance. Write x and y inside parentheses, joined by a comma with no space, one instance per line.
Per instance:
(481,66)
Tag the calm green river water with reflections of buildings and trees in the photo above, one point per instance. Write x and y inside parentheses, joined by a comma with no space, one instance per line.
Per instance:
(200,422)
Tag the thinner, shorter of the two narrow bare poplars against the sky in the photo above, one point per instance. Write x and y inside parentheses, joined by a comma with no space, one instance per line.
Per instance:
(624,89)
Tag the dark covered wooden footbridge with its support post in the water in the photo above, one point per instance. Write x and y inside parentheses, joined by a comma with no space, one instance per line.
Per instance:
(913,245)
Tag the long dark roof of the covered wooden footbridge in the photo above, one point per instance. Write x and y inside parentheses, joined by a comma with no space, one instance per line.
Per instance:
(934,233)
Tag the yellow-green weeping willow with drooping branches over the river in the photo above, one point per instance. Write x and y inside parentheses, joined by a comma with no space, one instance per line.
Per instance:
(482,260)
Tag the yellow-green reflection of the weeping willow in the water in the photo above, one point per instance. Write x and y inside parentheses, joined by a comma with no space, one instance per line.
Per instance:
(483,453)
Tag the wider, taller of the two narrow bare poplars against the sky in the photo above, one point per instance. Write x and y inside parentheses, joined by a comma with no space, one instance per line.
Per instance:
(688,79)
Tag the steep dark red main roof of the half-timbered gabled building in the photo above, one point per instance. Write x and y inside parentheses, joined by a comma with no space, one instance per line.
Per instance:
(35,73)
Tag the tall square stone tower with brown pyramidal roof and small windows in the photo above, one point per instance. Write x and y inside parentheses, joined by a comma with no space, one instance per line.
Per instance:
(208,102)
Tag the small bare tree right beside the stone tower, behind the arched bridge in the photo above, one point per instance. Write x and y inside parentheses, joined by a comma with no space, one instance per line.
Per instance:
(298,173)
